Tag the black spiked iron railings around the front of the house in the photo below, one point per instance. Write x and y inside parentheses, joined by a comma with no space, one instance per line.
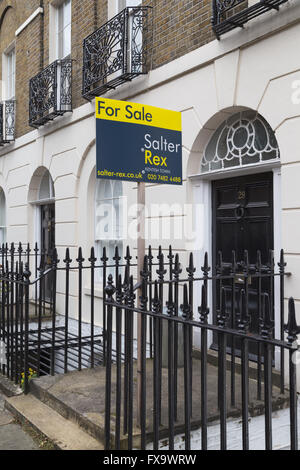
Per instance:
(186,321)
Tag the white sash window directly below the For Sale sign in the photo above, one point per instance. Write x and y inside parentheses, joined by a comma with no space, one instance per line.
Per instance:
(108,218)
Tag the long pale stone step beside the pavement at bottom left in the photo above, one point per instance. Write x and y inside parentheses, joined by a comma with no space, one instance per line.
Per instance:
(64,434)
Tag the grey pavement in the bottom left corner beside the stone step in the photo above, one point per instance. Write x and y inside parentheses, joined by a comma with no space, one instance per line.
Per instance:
(12,435)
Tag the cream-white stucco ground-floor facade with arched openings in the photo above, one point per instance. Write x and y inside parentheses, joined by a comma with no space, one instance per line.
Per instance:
(257,68)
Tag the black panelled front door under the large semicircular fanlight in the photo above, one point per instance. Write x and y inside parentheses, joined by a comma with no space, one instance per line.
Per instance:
(243,220)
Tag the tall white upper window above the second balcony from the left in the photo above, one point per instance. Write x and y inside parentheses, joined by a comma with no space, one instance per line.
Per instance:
(63,29)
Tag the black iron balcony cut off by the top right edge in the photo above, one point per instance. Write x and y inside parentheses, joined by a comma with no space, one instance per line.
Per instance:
(231,14)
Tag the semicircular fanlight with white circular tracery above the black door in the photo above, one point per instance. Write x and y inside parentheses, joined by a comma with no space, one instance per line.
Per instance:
(244,139)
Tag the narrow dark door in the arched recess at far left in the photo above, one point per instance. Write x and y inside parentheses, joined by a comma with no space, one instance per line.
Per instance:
(48,242)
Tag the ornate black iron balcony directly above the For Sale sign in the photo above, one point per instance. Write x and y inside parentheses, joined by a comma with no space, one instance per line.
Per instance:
(116,52)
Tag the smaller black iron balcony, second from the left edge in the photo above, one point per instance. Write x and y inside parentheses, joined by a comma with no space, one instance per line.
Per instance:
(50,93)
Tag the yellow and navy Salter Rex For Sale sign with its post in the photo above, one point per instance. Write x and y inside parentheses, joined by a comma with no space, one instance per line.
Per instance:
(143,144)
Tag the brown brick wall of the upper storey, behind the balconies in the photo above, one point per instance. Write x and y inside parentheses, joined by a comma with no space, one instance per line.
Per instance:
(179,26)
